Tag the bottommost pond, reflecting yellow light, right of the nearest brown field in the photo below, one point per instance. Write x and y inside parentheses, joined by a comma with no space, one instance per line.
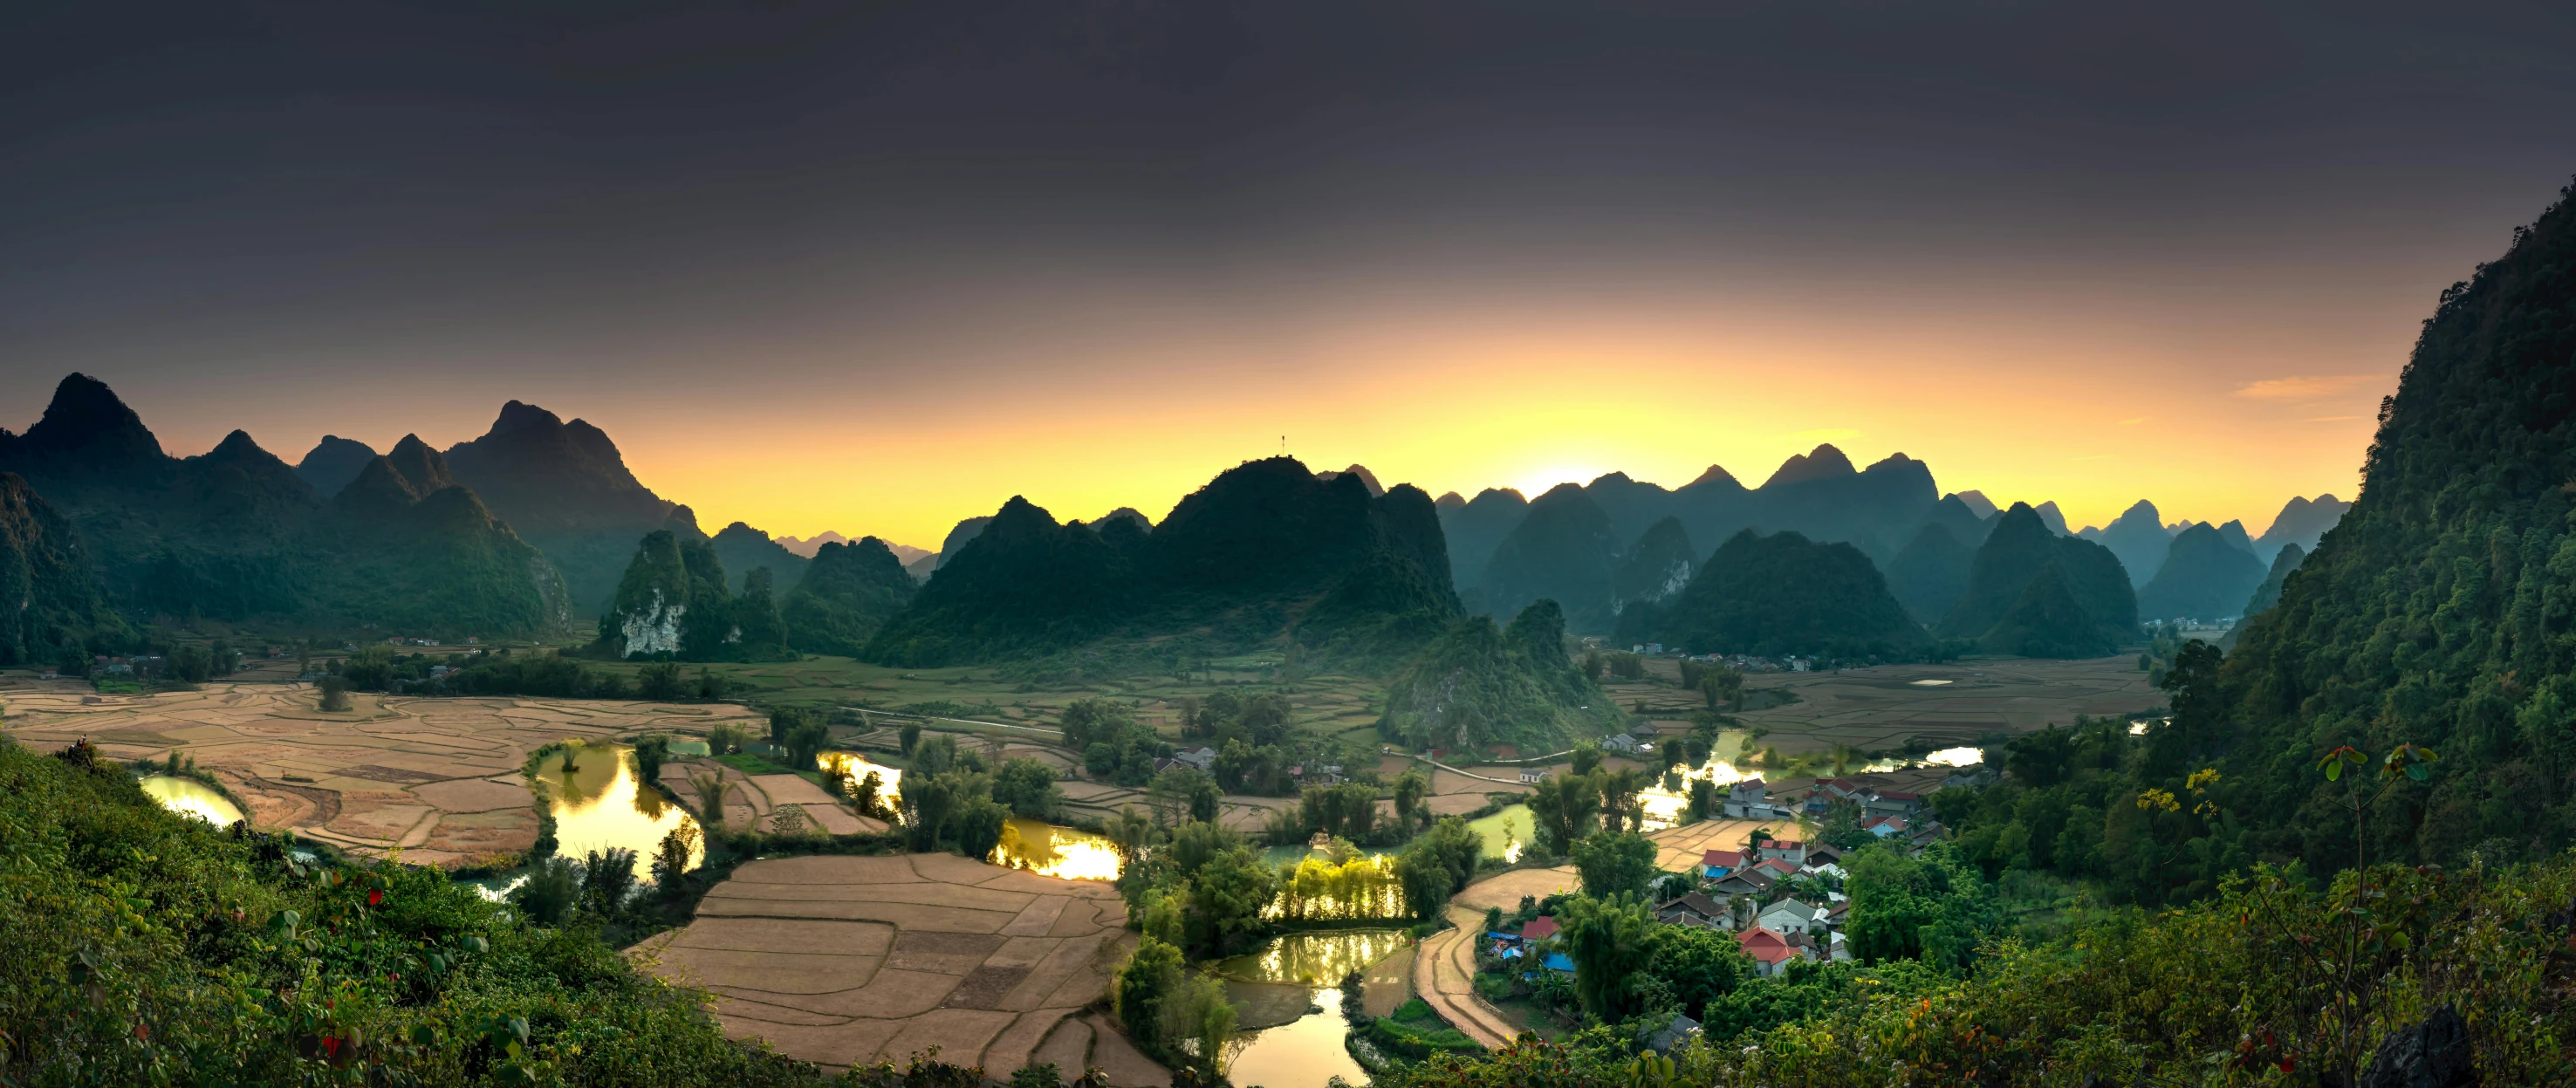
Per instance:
(1307,1051)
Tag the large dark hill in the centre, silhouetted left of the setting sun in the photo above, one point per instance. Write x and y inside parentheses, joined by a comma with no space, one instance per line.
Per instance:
(1261,553)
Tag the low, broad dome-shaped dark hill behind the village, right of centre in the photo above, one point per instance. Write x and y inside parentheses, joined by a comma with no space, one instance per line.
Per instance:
(1781,594)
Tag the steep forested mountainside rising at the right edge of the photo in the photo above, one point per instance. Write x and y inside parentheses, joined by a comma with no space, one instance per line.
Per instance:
(2443,607)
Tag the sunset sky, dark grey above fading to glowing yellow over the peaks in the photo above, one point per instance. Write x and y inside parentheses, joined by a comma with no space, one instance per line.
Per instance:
(880,267)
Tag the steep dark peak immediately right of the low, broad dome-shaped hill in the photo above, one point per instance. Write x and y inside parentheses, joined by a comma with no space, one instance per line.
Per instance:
(2011,607)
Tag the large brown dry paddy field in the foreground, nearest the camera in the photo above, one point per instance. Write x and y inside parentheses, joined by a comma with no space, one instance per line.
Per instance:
(844,960)
